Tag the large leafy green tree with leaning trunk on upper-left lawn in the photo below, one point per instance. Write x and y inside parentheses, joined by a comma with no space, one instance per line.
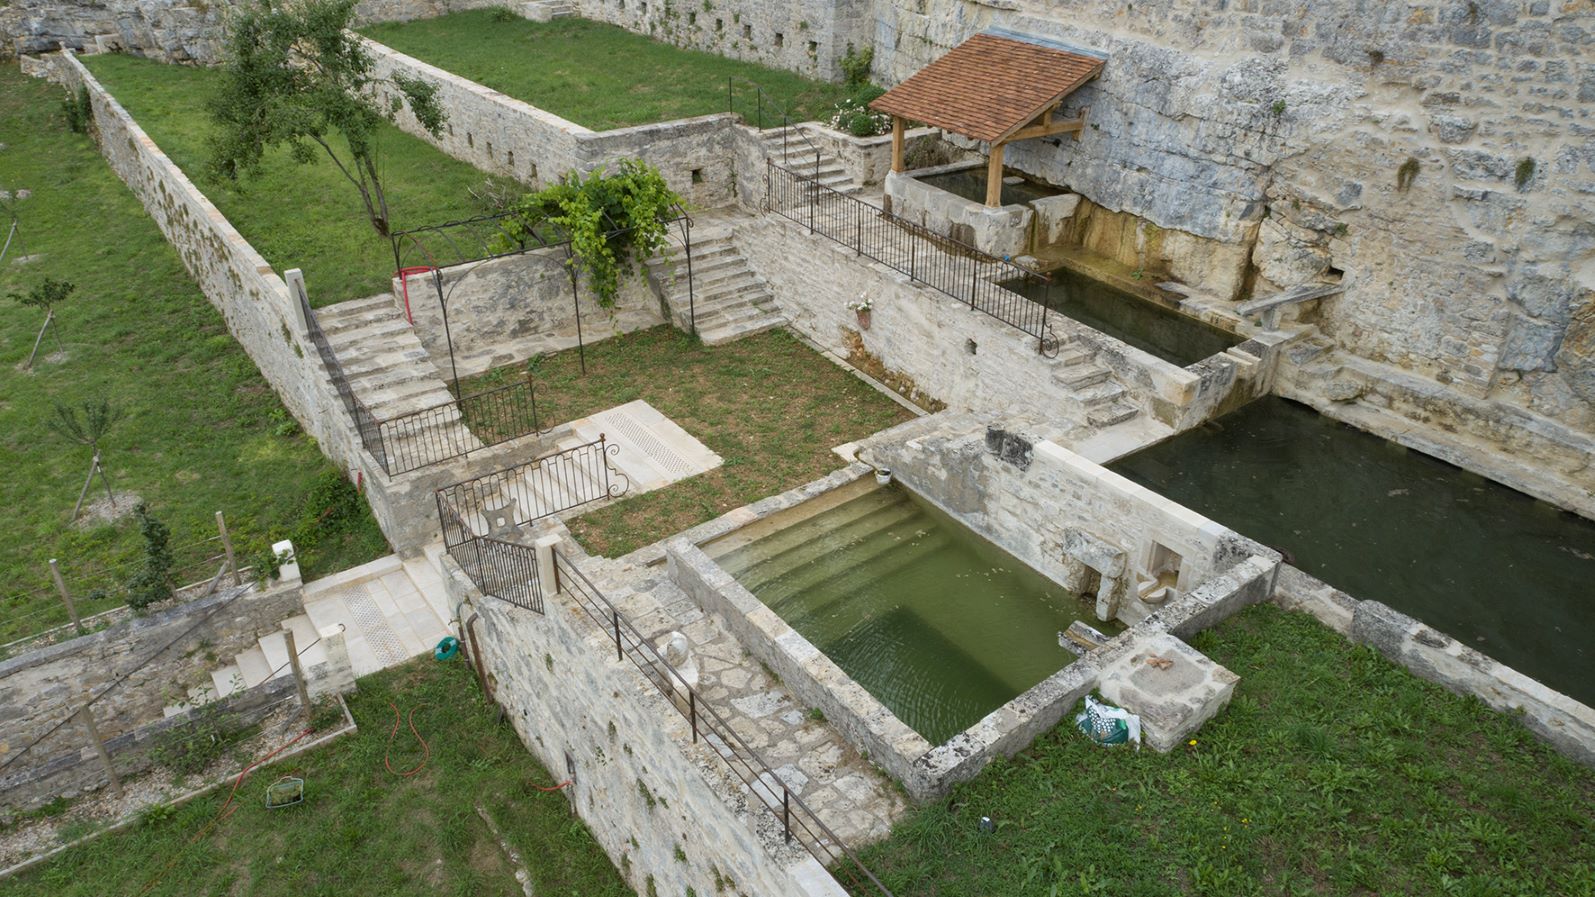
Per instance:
(297,77)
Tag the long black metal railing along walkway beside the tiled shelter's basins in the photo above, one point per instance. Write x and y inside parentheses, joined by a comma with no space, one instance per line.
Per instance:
(943,264)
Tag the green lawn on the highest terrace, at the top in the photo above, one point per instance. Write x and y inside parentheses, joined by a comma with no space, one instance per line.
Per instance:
(596,74)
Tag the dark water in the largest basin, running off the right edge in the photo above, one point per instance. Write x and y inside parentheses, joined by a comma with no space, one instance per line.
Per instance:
(1492,567)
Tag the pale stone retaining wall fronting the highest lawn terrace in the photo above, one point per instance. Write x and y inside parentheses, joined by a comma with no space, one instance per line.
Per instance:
(508,136)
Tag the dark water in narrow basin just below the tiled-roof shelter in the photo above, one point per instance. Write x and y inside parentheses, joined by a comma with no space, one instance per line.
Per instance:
(1151,328)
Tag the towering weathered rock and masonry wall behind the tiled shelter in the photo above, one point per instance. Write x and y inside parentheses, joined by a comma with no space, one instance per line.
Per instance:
(1291,124)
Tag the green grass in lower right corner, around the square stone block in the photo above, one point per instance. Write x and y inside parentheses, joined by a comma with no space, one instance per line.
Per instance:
(1333,772)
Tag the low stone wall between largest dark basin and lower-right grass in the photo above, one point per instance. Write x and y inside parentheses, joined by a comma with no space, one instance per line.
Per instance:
(1564,722)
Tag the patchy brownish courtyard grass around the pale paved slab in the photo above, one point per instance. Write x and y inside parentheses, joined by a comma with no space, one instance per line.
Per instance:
(768,405)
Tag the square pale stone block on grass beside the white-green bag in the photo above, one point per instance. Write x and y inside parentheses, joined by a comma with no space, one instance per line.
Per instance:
(1175,689)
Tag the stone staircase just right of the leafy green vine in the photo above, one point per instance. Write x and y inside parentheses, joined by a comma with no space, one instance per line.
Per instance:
(730,301)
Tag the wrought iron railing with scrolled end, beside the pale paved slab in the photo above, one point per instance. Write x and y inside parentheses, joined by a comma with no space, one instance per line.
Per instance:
(476,513)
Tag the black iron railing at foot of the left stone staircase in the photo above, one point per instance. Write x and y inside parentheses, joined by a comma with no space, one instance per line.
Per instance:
(457,429)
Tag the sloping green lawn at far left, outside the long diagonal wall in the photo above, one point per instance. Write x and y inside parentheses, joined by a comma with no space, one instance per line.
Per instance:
(203,432)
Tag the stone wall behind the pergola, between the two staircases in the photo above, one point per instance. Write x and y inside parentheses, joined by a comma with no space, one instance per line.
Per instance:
(513,309)
